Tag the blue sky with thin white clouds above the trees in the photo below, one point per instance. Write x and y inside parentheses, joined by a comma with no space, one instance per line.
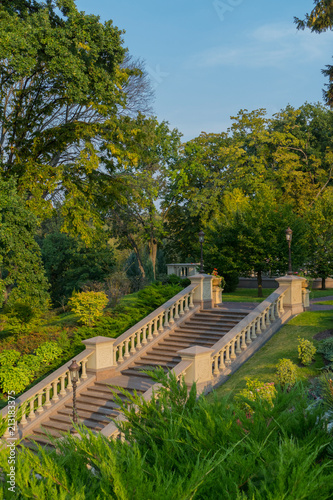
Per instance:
(210,58)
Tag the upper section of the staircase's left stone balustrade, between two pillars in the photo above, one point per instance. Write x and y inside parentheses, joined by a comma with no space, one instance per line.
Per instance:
(150,327)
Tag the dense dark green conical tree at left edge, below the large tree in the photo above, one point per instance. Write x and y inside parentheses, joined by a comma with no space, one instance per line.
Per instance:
(22,275)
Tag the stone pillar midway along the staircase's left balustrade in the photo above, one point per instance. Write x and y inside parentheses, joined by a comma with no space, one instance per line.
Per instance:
(102,359)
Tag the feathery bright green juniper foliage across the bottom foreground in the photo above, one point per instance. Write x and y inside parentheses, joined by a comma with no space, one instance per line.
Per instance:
(178,446)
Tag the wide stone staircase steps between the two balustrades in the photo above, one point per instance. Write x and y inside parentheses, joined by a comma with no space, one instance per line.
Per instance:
(96,405)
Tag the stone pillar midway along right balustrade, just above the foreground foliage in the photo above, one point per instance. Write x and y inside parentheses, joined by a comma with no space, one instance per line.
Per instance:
(200,371)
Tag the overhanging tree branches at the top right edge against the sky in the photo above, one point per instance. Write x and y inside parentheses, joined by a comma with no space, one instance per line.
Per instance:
(319,20)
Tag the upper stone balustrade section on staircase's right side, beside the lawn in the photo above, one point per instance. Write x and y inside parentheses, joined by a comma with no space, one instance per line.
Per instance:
(238,339)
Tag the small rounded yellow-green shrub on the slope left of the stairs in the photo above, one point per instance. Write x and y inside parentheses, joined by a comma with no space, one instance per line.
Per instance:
(88,306)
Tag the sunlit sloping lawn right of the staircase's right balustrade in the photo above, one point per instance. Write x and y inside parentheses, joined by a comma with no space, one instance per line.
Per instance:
(283,344)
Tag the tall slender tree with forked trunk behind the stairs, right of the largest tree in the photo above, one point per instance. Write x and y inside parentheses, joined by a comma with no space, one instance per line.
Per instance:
(150,149)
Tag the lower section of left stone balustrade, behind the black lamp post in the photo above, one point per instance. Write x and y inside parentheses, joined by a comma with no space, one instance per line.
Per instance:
(34,402)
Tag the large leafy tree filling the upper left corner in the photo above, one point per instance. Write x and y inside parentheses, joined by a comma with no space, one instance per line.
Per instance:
(61,89)
